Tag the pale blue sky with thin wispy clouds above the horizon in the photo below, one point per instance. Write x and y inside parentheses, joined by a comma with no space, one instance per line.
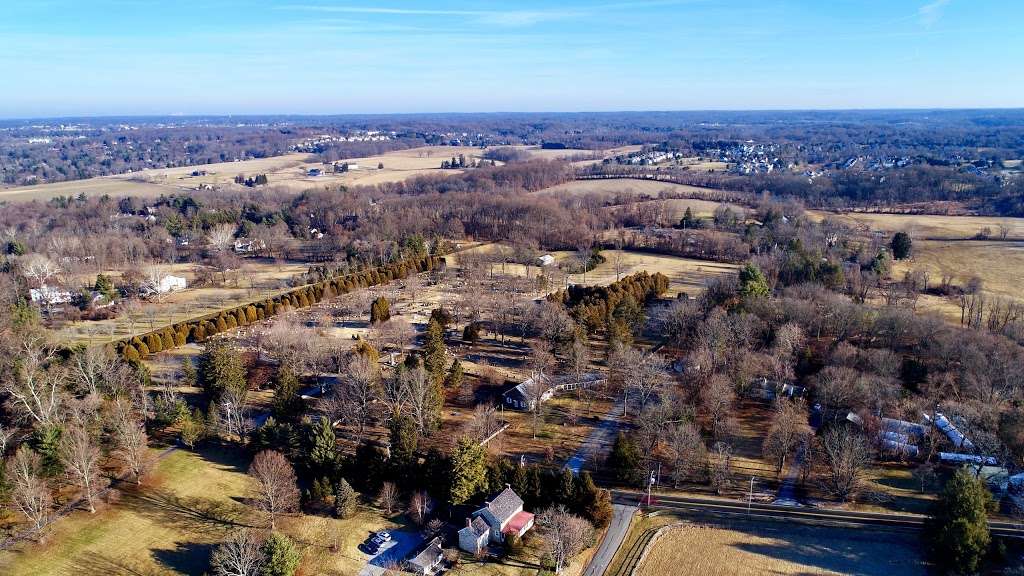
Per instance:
(322,57)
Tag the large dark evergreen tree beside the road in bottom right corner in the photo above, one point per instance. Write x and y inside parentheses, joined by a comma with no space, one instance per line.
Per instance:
(957,530)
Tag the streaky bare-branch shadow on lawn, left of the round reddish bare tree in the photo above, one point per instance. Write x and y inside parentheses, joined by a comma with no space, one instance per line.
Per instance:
(199,516)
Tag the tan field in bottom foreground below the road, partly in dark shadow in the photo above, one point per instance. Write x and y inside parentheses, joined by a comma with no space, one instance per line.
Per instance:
(692,550)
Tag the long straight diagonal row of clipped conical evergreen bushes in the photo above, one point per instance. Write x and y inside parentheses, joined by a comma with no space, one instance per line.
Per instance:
(198,331)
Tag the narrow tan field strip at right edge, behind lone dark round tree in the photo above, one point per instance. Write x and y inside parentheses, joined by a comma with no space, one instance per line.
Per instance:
(925,227)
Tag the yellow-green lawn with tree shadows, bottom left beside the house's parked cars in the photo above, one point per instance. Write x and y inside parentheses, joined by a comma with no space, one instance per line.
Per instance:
(170,526)
